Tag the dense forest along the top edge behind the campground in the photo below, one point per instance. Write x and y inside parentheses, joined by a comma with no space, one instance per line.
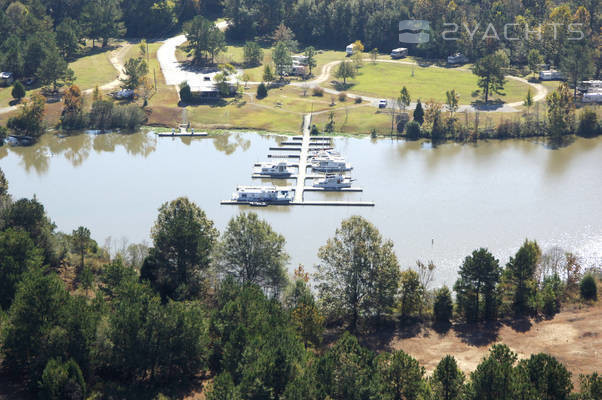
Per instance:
(39,29)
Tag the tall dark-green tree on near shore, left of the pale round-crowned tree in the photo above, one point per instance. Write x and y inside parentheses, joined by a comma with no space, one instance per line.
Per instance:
(183,239)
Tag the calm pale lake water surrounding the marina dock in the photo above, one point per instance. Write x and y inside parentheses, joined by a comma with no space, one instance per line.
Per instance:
(434,203)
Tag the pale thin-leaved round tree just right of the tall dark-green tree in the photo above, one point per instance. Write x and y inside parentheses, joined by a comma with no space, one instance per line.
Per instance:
(251,252)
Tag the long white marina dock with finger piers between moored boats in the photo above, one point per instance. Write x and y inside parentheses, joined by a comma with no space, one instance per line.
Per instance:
(301,146)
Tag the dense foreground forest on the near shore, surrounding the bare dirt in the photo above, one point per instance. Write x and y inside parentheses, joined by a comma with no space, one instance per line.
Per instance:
(220,310)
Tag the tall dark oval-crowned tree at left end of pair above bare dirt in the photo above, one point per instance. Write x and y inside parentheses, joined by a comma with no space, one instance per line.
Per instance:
(476,287)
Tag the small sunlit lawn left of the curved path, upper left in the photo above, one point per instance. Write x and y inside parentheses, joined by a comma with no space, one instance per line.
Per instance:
(94,69)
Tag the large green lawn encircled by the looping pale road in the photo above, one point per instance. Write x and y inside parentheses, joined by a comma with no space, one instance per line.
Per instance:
(386,79)
